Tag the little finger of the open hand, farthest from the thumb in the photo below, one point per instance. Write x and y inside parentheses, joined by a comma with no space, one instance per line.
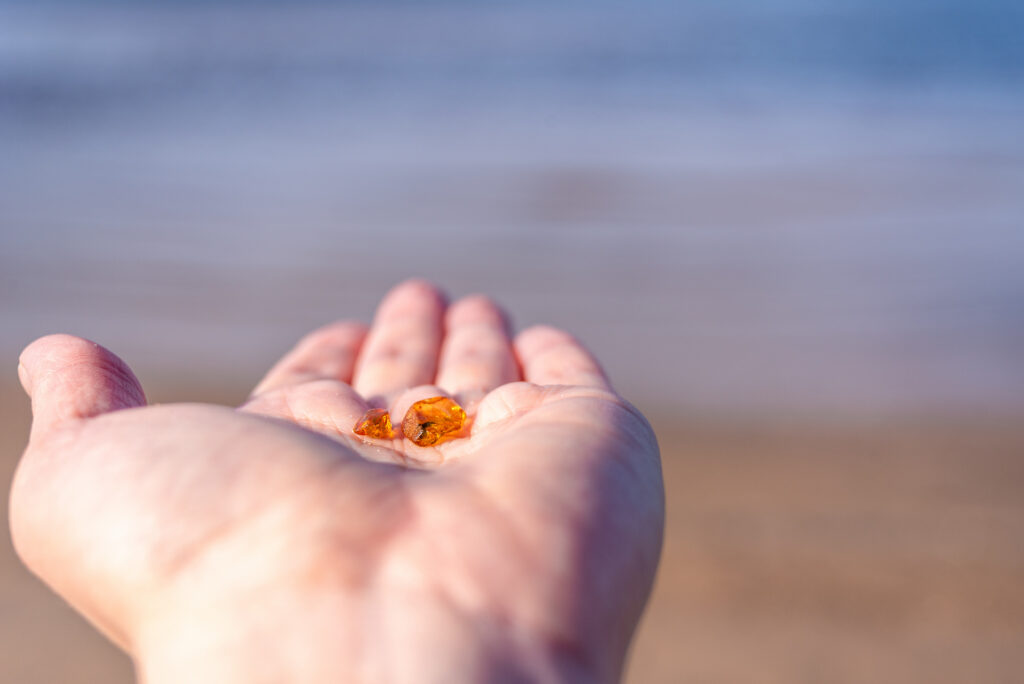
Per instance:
(552,357)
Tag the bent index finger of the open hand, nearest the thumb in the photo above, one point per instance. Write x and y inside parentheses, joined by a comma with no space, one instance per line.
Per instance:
(327,354)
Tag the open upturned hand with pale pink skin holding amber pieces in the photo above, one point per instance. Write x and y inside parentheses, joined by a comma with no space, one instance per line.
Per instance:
(270,544)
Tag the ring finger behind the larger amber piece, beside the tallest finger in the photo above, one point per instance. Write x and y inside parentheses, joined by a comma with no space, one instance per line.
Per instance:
(477,356)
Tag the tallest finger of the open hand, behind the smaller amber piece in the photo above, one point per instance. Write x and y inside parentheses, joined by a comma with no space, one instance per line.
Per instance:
(402,348)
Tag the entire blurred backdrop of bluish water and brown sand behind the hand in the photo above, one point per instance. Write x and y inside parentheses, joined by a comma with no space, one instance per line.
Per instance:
(793,231)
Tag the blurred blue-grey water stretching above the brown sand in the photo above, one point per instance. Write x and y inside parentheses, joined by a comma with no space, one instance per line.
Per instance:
(787,205)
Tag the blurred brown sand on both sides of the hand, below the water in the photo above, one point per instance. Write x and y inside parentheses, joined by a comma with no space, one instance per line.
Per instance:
(797,551)
